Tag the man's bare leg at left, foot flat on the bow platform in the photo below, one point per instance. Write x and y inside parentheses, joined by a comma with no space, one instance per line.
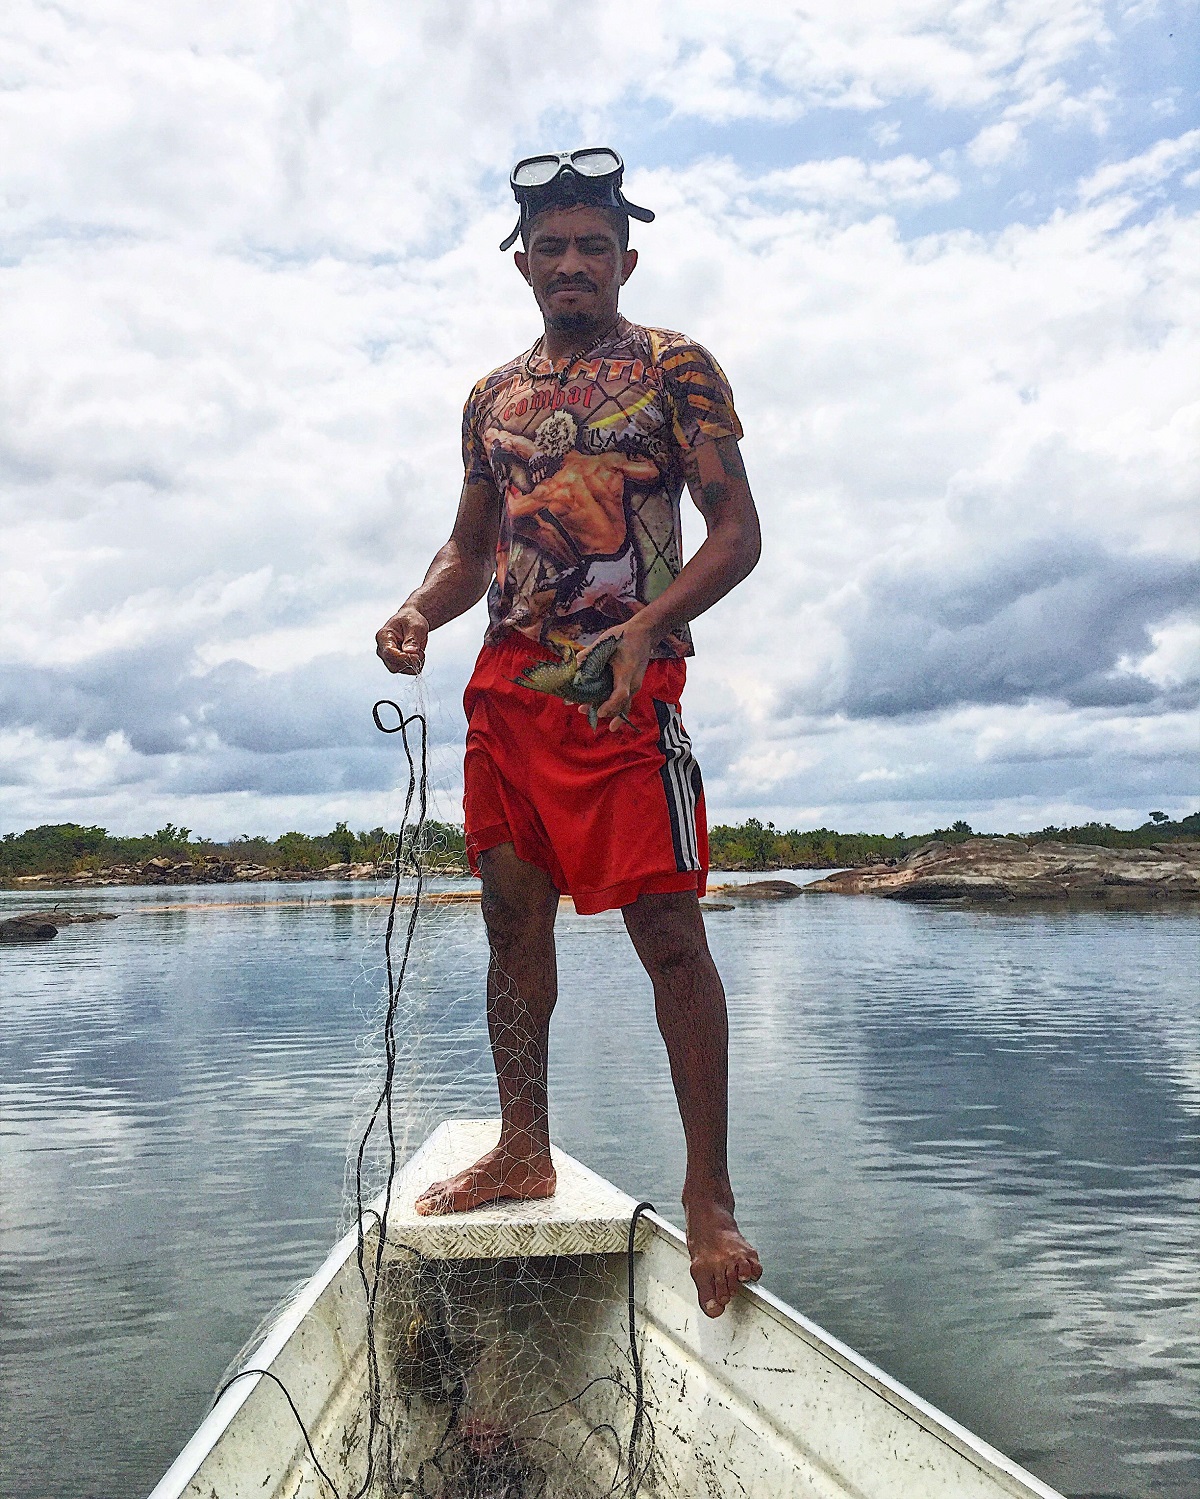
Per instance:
(521,905)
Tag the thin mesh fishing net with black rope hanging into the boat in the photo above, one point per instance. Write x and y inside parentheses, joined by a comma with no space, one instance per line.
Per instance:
(465,1378)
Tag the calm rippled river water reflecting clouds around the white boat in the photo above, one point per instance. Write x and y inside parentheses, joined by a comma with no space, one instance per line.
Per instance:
(964,1141)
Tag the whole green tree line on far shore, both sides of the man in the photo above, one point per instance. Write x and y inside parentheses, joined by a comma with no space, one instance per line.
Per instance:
(71,849)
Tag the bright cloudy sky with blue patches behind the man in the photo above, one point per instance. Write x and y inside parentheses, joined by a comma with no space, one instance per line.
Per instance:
(946,251)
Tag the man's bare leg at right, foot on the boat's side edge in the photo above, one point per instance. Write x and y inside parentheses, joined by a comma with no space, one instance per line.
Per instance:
(690,1002)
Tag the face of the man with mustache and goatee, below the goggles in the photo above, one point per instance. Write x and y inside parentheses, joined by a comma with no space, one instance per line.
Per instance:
(576,268)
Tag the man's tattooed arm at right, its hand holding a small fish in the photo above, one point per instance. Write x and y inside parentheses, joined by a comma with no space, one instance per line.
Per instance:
(717,480)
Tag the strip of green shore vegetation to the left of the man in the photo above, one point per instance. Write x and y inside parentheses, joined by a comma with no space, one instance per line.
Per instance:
(71,849)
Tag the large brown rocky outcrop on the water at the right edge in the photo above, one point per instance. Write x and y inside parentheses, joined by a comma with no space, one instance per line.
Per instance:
(996,870)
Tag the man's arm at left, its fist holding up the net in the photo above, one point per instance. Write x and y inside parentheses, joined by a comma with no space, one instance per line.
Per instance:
(458,578)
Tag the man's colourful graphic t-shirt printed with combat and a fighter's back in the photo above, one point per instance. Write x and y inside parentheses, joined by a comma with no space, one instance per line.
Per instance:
(591,473)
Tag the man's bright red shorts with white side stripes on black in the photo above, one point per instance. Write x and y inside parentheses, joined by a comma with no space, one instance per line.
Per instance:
(609,816)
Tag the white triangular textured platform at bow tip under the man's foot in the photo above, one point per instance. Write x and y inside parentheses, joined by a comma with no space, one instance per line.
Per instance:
(587,1215)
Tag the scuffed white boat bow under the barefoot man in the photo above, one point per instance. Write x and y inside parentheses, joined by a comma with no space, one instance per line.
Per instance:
(527,1338)
